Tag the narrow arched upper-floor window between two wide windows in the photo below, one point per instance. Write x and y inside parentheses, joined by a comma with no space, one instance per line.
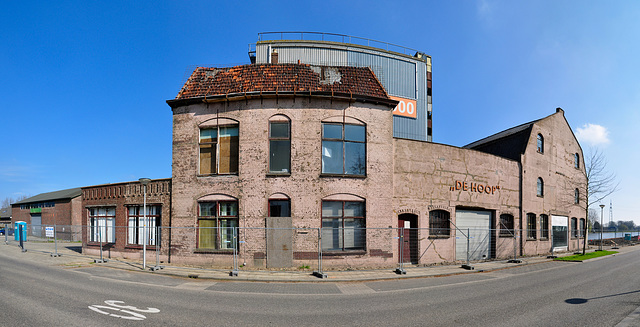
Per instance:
(279,145)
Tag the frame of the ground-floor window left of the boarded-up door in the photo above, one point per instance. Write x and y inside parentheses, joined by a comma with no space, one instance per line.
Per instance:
(217,229)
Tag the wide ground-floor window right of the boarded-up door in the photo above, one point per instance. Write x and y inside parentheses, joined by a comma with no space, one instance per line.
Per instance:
(343,225)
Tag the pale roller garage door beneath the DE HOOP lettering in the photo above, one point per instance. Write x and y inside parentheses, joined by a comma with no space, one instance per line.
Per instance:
(478,225)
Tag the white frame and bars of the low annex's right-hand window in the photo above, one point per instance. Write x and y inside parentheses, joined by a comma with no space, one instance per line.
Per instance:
(154,220)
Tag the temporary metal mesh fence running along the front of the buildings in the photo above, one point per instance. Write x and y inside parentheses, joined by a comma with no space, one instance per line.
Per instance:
(341,247)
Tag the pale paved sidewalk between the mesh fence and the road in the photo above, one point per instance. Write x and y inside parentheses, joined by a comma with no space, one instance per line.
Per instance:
(70,257)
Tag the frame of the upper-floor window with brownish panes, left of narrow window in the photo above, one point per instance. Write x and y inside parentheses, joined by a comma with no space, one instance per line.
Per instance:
(215,144)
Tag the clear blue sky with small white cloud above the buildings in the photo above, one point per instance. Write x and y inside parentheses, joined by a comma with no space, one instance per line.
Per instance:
(84,83)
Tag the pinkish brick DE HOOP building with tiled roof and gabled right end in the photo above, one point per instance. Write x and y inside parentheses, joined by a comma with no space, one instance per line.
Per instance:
(270,148)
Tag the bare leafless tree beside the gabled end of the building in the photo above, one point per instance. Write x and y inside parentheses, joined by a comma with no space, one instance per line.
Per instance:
(598,183)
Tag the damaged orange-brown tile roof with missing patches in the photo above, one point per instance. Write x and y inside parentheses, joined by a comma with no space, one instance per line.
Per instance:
(299,78)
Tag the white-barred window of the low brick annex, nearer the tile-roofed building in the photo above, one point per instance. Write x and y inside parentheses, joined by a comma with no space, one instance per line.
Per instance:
(135,227)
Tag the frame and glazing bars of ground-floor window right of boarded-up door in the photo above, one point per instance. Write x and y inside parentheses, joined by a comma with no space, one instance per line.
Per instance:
(362,245)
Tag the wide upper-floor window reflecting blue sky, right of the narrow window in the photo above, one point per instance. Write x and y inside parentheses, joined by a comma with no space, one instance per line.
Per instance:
(344,149)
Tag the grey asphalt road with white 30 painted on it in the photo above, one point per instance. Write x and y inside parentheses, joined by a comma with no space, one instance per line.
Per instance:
(601,292)
